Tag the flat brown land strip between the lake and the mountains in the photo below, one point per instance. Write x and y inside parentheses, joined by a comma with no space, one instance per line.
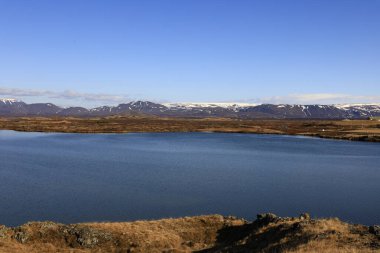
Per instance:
(363,130)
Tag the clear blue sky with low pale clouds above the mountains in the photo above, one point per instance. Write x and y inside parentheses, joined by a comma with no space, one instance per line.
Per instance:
(91,52)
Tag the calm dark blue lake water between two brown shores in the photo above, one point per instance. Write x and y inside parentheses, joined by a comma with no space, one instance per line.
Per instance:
(118,177)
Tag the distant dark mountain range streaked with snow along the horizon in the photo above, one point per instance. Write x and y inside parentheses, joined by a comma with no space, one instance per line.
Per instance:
(16,108)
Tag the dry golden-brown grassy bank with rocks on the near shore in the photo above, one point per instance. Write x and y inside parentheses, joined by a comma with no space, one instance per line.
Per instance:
(211,233)
